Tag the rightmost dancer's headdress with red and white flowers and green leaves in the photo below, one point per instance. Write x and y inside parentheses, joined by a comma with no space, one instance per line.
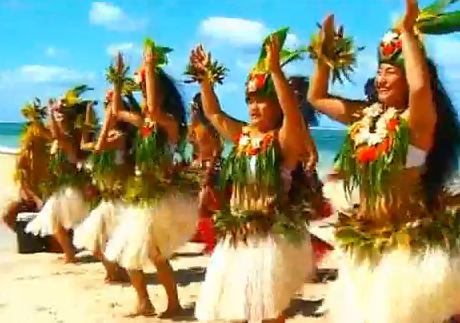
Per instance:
(431,20)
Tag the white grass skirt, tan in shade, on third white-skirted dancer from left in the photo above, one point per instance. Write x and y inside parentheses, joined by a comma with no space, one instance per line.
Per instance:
(167,225)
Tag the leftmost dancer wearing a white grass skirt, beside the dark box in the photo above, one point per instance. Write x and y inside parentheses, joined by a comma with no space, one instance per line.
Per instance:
(66,206)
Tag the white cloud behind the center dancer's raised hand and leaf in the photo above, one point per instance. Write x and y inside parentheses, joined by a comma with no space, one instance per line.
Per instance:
(238,32)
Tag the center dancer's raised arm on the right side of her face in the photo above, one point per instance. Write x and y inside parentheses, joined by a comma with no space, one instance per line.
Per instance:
(293,130)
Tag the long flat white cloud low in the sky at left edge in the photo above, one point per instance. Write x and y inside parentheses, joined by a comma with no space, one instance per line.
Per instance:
(44,74)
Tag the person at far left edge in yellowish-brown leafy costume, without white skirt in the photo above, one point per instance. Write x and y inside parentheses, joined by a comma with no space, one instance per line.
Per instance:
(31,165)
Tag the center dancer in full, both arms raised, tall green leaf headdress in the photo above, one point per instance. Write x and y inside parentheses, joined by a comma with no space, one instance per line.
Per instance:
(263,254)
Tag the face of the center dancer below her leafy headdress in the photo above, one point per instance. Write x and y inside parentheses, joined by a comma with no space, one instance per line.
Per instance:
(264,113)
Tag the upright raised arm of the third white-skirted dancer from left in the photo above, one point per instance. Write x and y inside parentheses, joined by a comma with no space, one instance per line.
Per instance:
(165,120)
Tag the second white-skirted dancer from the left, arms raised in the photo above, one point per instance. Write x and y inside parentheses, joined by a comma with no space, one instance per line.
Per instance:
(110,166)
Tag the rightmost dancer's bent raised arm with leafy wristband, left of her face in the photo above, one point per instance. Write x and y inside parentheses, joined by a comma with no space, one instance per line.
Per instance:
(339,109)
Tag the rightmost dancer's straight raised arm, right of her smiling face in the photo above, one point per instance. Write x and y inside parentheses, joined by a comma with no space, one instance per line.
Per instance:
(422,110)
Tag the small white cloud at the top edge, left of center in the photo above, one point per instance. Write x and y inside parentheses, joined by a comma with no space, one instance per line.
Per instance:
(113,18)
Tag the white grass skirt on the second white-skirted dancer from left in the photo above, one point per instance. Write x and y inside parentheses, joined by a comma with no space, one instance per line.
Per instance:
(92,234)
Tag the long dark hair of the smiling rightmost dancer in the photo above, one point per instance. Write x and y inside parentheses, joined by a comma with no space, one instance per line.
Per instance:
(443,158)
